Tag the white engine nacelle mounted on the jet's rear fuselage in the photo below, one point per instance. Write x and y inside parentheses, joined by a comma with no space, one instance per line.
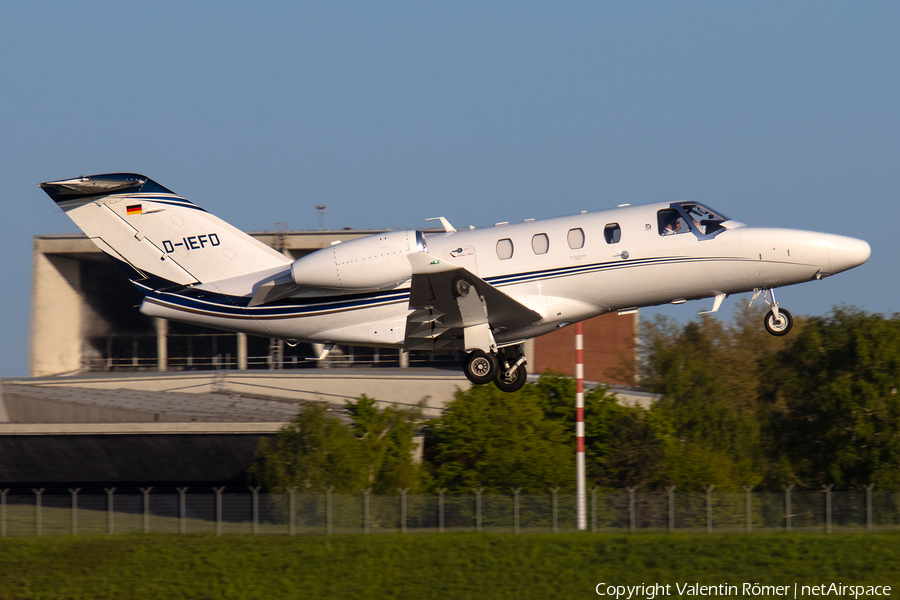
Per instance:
(373,262)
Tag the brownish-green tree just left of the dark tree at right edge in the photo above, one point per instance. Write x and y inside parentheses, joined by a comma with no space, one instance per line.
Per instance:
(708,374)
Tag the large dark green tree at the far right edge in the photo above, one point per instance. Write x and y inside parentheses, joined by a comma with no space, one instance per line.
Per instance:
(833,392)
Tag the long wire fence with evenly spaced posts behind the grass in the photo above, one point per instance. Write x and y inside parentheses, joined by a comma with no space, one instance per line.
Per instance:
(40,511)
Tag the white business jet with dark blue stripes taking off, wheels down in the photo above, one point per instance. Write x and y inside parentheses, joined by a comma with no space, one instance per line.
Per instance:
(484,291)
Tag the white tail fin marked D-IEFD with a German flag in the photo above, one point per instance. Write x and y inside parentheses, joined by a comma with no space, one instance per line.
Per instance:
(159,238)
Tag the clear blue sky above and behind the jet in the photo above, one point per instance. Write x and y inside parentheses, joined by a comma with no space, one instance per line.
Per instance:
(775,113)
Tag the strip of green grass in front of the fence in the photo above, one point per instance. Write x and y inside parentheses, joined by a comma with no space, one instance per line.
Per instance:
(430,565)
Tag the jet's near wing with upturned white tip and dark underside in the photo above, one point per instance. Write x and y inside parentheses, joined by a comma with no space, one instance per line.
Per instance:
(447,299)
